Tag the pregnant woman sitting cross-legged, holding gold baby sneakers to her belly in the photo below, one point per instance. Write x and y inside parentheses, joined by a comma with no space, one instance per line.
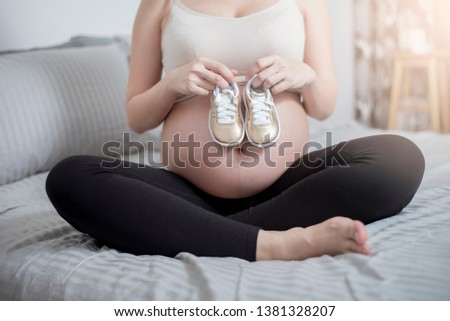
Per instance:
(233,81)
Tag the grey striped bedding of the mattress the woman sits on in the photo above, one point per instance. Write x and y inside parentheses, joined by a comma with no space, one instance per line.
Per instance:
(44,258)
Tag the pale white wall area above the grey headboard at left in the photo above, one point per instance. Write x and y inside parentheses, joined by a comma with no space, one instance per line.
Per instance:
(30,23)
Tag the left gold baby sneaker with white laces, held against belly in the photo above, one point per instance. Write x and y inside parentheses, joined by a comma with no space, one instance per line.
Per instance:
(225,116)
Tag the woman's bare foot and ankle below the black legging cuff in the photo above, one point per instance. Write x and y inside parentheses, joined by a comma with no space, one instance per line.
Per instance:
(335,236)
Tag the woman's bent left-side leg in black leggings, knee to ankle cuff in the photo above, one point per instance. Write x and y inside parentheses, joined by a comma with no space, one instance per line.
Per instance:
(143,210)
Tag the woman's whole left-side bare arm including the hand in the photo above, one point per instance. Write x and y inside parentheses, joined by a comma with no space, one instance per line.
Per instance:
(150,98)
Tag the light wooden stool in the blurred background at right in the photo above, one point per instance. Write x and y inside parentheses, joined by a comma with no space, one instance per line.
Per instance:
(437,102)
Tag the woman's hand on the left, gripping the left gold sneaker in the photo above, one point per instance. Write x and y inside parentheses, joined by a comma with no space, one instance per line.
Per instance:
(200,77)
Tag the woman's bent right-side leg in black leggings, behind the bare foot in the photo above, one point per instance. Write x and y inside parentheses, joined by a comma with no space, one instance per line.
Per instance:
(367,179)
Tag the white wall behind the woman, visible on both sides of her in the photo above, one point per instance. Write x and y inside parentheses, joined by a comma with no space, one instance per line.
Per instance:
(29,23)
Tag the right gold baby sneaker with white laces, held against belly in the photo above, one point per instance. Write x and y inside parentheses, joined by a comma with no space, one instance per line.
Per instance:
(261,124)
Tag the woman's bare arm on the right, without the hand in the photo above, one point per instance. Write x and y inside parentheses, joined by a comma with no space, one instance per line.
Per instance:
(319,95)
